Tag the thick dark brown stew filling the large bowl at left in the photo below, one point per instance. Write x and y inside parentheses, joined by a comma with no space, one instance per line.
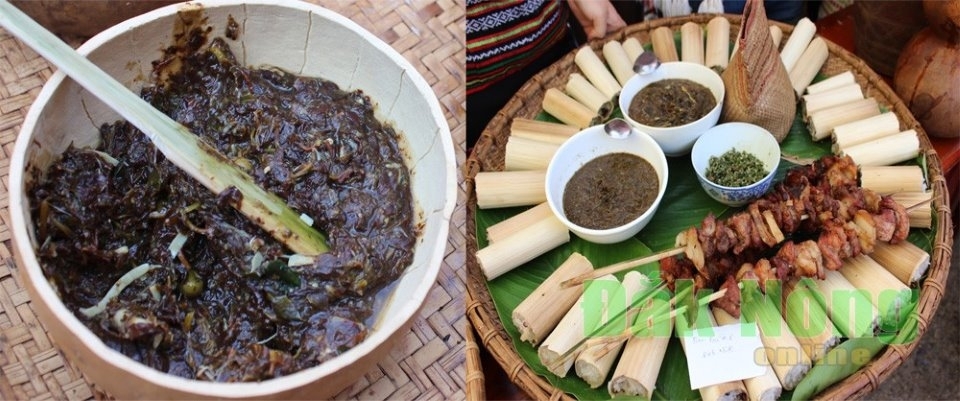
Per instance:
(215,297)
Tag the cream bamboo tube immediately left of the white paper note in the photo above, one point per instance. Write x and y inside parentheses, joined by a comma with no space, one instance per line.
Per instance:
(639,365)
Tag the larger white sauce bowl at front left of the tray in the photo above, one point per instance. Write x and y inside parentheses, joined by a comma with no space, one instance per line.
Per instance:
(587,145)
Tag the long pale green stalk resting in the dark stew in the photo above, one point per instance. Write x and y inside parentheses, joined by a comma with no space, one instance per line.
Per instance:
(185,150)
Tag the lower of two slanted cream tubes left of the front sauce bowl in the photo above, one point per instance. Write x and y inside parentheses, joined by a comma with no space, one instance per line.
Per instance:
(522,246)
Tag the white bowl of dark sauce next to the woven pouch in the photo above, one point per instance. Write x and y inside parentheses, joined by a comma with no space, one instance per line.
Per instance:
(676,141)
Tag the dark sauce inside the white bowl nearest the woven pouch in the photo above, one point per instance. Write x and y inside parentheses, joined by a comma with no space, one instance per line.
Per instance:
(671,103)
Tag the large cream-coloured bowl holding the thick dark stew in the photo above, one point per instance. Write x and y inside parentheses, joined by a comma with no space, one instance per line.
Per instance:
(295,36)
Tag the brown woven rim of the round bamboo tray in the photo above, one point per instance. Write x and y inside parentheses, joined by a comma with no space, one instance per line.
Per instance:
(488,155)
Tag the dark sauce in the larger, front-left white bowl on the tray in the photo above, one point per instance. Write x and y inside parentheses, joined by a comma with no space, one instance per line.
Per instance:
(610,191)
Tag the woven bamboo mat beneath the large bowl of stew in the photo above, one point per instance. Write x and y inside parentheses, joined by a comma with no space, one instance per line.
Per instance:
(428,363)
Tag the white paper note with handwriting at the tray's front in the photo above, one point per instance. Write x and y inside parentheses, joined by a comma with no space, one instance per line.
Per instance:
(723,354)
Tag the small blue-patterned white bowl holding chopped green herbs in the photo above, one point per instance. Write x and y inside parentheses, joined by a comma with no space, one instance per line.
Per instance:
(744,137)
